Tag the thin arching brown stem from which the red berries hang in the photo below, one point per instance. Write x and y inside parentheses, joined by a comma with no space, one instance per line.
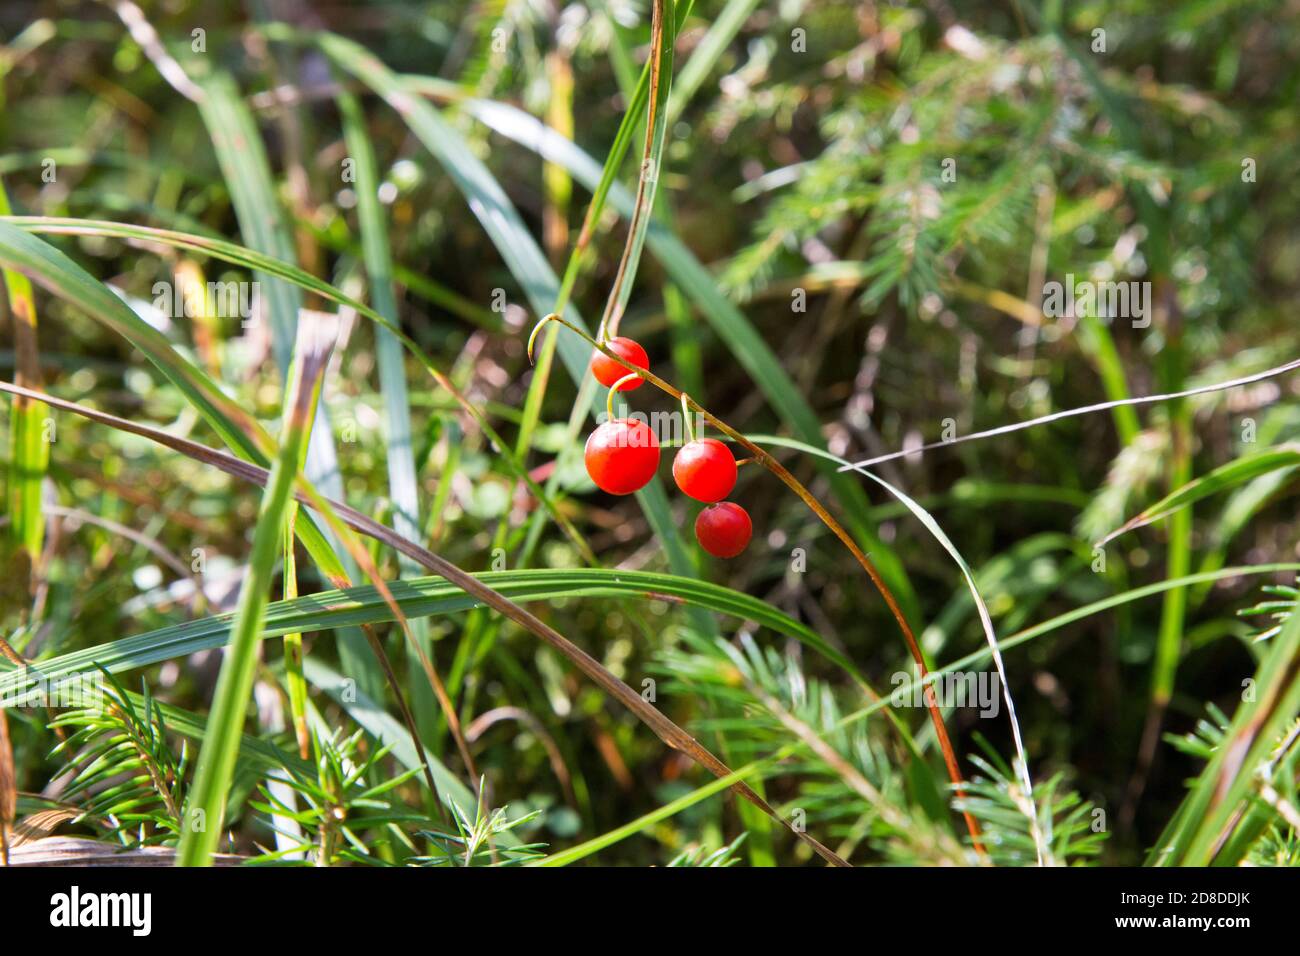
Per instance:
(769,462)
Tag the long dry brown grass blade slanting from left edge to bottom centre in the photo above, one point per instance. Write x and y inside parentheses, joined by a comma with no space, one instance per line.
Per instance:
(665,729)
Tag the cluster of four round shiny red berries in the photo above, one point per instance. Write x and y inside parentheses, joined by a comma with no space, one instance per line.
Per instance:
(623,456)
